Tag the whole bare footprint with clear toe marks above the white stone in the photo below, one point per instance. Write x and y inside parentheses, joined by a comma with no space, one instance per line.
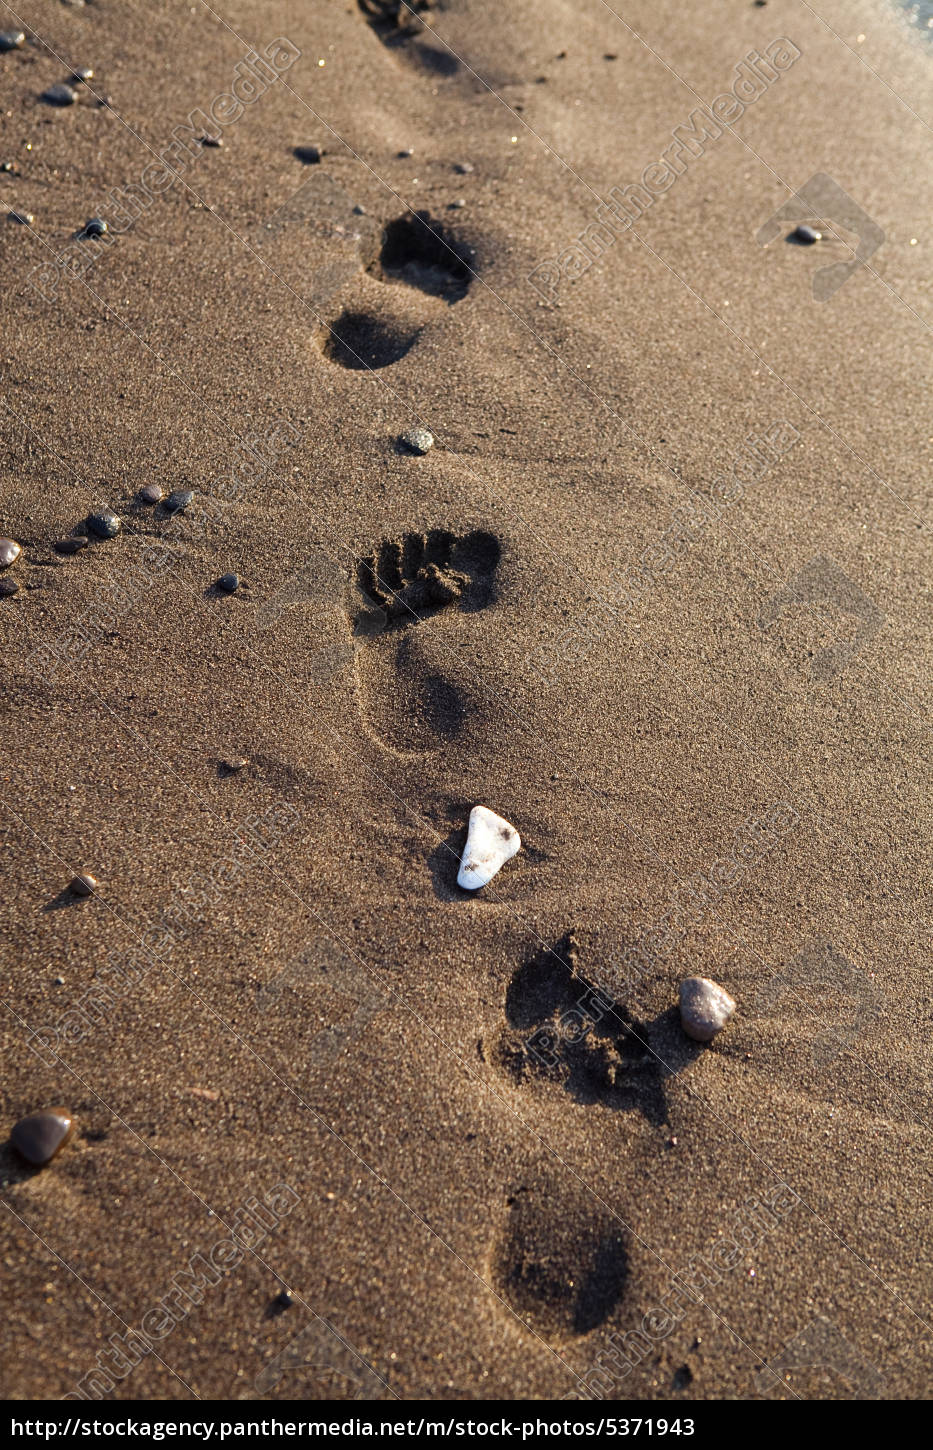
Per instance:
(407,703)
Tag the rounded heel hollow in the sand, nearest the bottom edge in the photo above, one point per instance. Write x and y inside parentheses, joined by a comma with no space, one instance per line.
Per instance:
(559,1267)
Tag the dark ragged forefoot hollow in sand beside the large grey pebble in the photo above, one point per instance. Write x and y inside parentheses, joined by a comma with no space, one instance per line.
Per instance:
(565,1030)
